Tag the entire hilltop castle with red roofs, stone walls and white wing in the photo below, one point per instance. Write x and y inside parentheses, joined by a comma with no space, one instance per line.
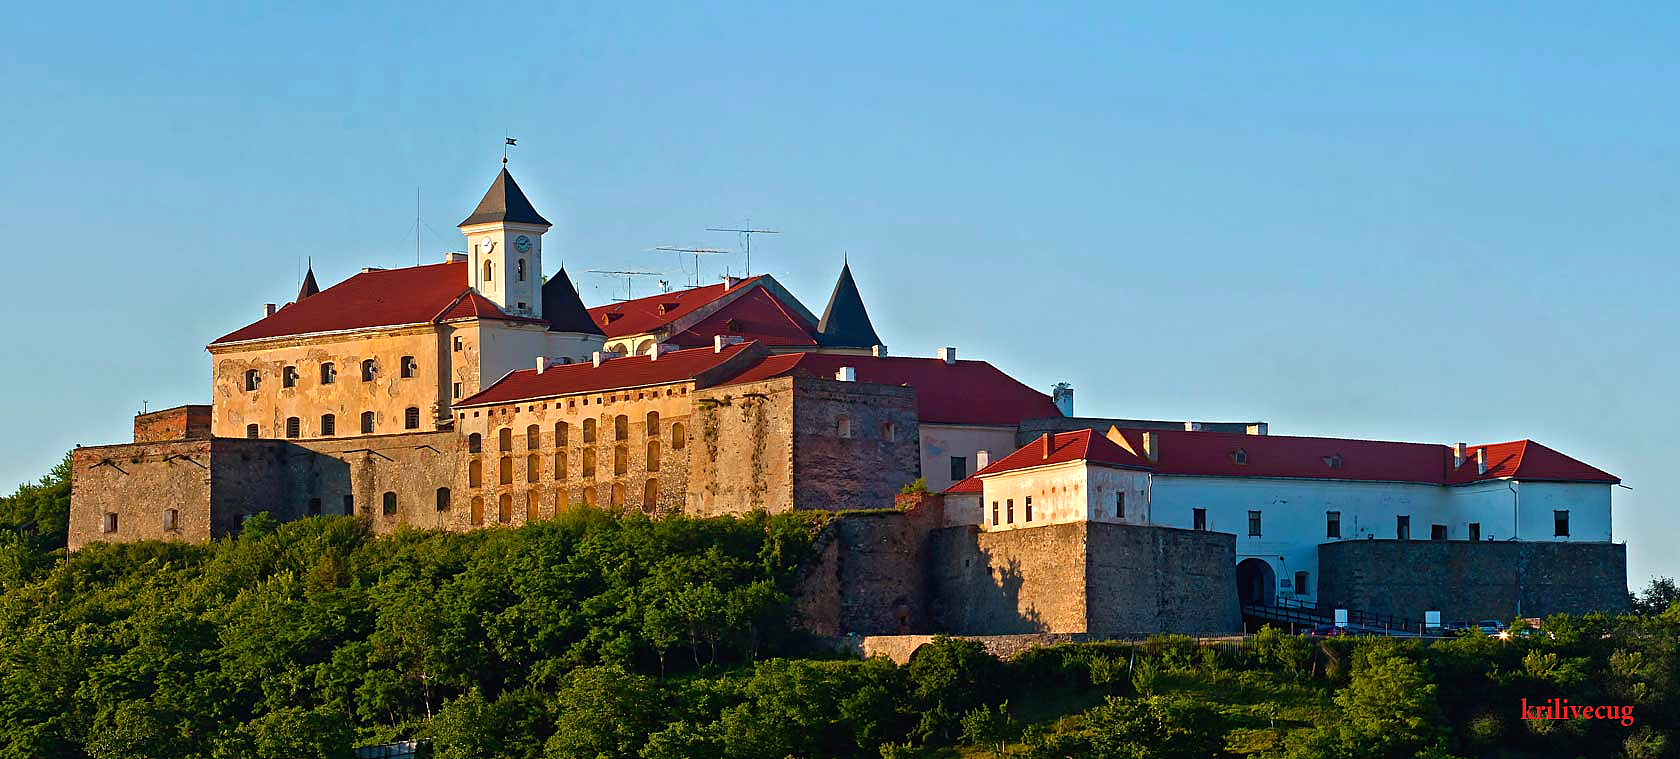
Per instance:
(476,392)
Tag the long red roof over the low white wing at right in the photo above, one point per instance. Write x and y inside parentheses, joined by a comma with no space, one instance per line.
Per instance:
(1215,454)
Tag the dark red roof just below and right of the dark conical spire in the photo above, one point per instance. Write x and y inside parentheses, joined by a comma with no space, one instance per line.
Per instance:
(960,394)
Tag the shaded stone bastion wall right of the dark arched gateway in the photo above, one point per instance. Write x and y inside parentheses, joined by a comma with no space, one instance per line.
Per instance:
(1469,582)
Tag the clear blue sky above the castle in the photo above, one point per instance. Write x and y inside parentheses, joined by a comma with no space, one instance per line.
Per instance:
(1424,224)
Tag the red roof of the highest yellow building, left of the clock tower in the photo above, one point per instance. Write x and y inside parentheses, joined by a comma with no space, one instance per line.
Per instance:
(375,300)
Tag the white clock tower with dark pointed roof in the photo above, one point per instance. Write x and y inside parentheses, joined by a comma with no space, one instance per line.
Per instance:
(505,249)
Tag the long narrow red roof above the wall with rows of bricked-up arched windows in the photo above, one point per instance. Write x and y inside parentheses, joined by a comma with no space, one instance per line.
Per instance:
(631,372)
